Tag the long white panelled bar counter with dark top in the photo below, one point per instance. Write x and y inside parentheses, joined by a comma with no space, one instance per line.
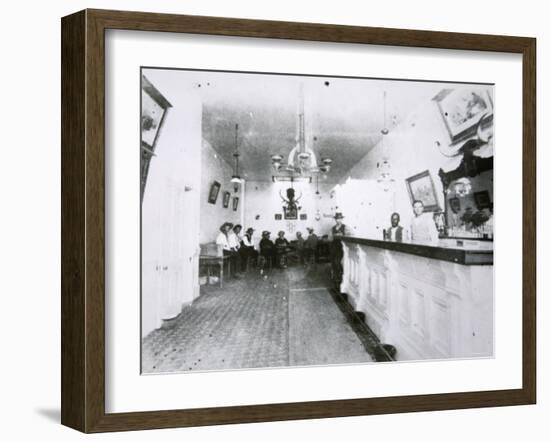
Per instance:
(430,301)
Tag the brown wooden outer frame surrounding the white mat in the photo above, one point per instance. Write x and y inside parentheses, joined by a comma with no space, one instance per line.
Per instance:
(83,220)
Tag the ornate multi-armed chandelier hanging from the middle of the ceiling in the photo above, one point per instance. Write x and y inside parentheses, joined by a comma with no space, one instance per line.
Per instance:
(301,159)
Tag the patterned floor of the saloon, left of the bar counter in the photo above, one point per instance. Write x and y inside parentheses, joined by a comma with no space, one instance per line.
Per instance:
(290,318)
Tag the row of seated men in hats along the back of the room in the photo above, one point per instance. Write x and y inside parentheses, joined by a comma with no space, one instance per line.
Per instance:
(240,249)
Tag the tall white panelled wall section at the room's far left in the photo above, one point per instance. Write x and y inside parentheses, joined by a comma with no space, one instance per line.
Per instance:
(170,209)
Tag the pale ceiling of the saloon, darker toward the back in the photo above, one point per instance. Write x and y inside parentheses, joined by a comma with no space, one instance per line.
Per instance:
(343,116)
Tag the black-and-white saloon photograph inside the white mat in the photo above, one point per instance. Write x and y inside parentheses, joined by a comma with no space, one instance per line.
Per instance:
(286,153)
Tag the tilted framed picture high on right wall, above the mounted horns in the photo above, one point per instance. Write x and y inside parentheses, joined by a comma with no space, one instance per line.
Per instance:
(462,110)
